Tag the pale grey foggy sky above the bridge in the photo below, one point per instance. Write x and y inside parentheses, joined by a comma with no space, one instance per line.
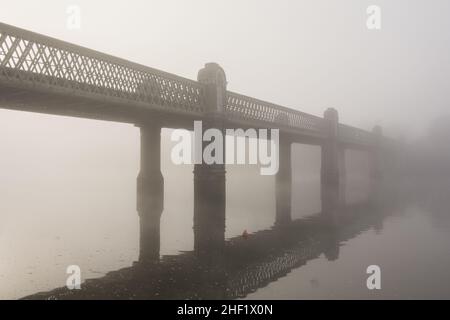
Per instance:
(307,55)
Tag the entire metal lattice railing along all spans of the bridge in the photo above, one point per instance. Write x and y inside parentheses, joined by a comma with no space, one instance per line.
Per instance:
(29,59)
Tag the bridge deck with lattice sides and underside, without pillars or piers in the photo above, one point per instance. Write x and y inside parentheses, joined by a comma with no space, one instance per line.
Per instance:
(43,74)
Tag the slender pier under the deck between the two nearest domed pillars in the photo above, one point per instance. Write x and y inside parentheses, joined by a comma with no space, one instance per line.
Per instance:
(283,183)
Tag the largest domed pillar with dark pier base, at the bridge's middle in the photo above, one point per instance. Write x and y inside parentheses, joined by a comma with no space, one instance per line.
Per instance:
(209,179)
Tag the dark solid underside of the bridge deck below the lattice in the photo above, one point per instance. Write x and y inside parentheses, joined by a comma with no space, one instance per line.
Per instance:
(39,100)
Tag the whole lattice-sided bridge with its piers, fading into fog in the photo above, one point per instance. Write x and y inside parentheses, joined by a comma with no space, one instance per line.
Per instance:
(46,75)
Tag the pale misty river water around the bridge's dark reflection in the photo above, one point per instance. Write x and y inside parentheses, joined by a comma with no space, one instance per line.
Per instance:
(68,198)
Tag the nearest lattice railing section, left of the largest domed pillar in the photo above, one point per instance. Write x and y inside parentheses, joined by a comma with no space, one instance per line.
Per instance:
(32,58)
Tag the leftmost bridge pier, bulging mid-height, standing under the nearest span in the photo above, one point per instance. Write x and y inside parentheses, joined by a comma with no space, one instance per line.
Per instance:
(150,192)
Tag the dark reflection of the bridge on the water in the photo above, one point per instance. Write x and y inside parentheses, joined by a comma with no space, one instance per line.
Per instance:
(243,266)
